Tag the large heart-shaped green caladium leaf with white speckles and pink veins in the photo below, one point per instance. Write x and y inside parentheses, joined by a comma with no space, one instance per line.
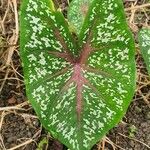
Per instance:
(79,87)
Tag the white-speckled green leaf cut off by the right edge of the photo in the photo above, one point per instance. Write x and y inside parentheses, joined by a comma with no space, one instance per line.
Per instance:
(144,42)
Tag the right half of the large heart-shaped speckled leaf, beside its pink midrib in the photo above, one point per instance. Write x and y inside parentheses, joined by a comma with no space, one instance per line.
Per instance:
(108,56)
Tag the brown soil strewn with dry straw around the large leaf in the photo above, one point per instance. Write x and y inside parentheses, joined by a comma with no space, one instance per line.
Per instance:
(20,128)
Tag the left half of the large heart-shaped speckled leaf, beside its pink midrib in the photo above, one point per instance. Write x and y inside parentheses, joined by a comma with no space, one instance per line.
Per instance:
(46,50)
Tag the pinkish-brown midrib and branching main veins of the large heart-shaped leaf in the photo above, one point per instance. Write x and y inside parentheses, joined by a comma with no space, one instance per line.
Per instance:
(77,76)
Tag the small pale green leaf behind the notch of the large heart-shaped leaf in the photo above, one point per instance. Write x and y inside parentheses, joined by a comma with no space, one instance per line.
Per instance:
(77,12)
